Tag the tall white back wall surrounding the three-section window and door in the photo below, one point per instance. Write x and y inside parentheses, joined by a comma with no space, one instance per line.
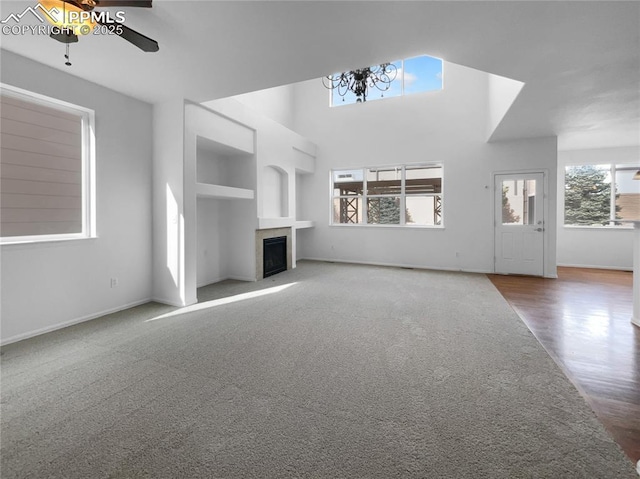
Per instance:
(448,127)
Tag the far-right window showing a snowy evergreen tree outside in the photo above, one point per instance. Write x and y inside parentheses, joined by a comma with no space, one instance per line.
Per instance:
(601,195)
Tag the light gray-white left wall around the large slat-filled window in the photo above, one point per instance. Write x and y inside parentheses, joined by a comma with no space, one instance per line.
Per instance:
(46,286)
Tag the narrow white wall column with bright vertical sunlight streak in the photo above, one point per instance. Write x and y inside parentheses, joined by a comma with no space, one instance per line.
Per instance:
(168,203)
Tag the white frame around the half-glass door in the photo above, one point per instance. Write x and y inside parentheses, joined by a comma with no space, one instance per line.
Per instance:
(548,217)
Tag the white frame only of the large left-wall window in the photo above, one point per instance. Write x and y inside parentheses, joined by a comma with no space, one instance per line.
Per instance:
(88,161)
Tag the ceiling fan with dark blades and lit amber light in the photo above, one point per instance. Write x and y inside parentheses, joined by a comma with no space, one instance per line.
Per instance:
(78,17)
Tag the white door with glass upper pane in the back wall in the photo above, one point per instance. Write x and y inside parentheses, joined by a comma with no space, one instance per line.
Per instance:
(519,224)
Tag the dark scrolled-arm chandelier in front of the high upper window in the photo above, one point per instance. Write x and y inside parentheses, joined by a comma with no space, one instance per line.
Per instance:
(359,81)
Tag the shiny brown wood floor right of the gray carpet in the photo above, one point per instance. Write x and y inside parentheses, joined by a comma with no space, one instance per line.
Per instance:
(583,320)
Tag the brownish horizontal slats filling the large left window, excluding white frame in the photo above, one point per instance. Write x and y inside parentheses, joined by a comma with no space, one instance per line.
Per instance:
(40,169)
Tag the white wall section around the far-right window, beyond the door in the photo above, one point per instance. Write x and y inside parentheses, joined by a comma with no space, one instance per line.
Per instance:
(594,247)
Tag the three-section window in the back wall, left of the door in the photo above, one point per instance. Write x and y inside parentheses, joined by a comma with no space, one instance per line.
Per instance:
(402,195)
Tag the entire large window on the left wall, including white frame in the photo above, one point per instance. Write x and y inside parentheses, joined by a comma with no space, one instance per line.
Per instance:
(46,172)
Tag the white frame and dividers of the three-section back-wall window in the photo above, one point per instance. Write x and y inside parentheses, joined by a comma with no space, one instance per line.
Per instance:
(363,198)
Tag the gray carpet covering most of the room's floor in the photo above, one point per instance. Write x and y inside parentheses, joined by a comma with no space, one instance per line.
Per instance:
(334,371)
